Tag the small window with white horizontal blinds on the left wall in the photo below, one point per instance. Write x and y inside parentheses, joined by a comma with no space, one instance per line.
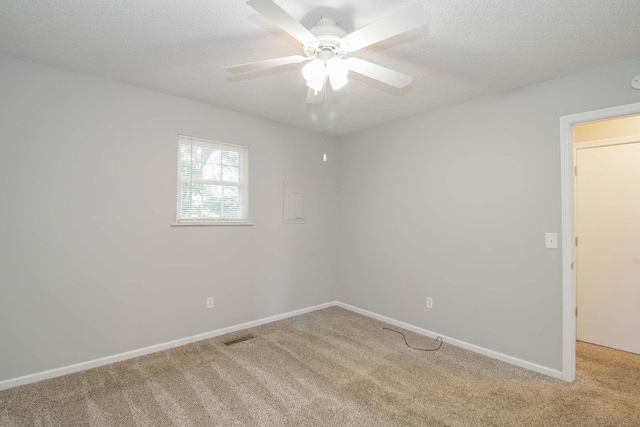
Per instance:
(212,182)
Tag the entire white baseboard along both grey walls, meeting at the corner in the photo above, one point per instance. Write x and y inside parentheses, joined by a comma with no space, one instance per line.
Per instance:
(57,372)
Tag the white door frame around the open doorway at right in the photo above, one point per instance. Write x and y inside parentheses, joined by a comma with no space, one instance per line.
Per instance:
(567,193)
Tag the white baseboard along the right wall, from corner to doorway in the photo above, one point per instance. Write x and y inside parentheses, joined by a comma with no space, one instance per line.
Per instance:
(458,343)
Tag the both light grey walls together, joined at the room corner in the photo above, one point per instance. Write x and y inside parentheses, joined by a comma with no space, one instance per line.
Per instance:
(451,204)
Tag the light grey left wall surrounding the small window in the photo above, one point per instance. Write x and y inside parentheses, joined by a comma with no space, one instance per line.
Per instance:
(89,266)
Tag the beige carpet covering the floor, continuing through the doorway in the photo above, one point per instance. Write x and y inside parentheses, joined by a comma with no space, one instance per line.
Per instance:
(330,368)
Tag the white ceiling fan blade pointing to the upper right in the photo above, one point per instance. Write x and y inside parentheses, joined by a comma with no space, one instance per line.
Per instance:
(405,19)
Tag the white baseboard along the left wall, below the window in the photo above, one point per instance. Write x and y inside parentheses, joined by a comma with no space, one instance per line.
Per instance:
(57,372)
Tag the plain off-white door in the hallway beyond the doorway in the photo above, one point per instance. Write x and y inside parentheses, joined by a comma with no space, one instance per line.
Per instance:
(608,251)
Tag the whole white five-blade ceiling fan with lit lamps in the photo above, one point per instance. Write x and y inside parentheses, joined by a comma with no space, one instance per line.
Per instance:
(325,45)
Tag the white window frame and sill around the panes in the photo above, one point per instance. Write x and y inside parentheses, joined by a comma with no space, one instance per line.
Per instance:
(242,184)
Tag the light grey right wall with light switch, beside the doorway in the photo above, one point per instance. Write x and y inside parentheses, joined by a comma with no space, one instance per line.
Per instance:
(454,204)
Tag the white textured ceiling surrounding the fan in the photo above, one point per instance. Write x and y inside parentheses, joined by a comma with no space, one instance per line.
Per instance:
(469,49)
